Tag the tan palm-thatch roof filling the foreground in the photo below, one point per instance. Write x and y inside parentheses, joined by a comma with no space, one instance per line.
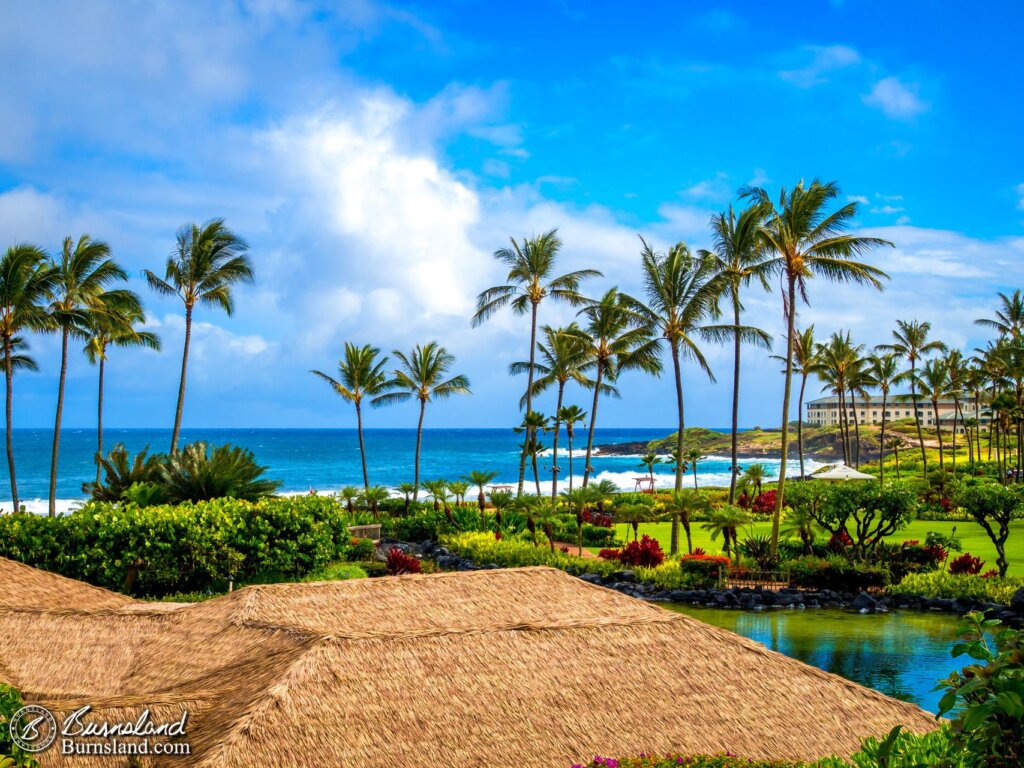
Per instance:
(527,667)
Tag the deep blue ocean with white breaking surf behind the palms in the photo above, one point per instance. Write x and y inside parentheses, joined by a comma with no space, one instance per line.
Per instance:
(326,460)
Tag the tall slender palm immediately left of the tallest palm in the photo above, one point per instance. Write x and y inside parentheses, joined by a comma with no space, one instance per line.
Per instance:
(741,257)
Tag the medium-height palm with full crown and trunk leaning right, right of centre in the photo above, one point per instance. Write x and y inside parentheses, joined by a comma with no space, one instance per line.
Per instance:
(618,339)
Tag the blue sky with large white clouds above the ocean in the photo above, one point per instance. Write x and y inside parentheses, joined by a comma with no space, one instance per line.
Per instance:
(375,155)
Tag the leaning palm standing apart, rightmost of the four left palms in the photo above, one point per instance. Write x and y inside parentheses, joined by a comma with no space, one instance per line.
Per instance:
(207,263)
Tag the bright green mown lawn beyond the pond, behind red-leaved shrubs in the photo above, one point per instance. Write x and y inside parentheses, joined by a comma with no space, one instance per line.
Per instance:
(971,535)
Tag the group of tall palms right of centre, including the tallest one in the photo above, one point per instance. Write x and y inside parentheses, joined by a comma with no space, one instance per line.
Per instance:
(687,297)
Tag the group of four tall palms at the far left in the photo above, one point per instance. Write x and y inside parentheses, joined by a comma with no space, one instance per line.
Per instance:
(80,295)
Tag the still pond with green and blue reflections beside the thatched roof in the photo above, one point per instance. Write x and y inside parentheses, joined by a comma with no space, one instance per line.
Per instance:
(902,654)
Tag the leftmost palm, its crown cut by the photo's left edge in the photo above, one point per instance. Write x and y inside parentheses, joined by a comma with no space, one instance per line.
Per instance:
(26,281)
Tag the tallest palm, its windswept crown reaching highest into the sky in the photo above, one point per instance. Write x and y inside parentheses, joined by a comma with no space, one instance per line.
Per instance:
(808,242)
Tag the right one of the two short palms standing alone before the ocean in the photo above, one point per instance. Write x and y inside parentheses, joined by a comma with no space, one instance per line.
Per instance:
(422,377)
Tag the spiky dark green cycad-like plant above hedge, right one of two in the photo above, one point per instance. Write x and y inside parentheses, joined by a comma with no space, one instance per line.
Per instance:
(198,474)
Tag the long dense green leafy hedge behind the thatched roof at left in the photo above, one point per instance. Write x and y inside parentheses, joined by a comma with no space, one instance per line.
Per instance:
(154,551)
